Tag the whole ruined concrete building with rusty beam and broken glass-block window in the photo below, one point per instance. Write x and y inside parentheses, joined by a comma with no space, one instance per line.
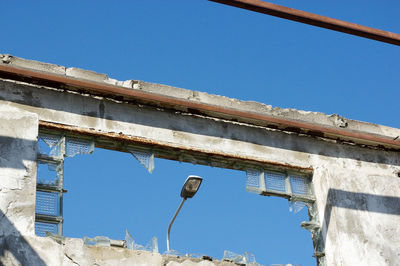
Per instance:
(346,172)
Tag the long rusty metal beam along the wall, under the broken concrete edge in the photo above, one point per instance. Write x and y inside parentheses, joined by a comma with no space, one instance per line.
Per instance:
(121,93)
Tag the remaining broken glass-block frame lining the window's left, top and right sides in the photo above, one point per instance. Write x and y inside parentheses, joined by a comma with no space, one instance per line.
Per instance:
(295,186)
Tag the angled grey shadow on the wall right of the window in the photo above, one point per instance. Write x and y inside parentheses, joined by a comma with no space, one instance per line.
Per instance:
(359,201)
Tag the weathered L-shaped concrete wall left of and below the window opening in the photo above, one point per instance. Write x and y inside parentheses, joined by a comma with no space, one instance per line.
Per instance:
(18,243)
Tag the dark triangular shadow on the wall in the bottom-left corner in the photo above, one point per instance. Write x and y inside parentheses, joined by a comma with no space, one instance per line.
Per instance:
(11,241)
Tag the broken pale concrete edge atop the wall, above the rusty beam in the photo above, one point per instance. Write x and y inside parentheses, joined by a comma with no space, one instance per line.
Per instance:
(313,118)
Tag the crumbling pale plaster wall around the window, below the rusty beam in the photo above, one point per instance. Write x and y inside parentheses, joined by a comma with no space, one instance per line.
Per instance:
(357,189)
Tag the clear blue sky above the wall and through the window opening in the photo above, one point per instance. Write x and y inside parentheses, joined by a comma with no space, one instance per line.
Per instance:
(217,49)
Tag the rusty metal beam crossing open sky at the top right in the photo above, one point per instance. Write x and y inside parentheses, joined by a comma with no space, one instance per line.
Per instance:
(314,19)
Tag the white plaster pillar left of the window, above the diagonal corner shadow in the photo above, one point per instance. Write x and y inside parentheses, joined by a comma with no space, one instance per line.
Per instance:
(18,133)
